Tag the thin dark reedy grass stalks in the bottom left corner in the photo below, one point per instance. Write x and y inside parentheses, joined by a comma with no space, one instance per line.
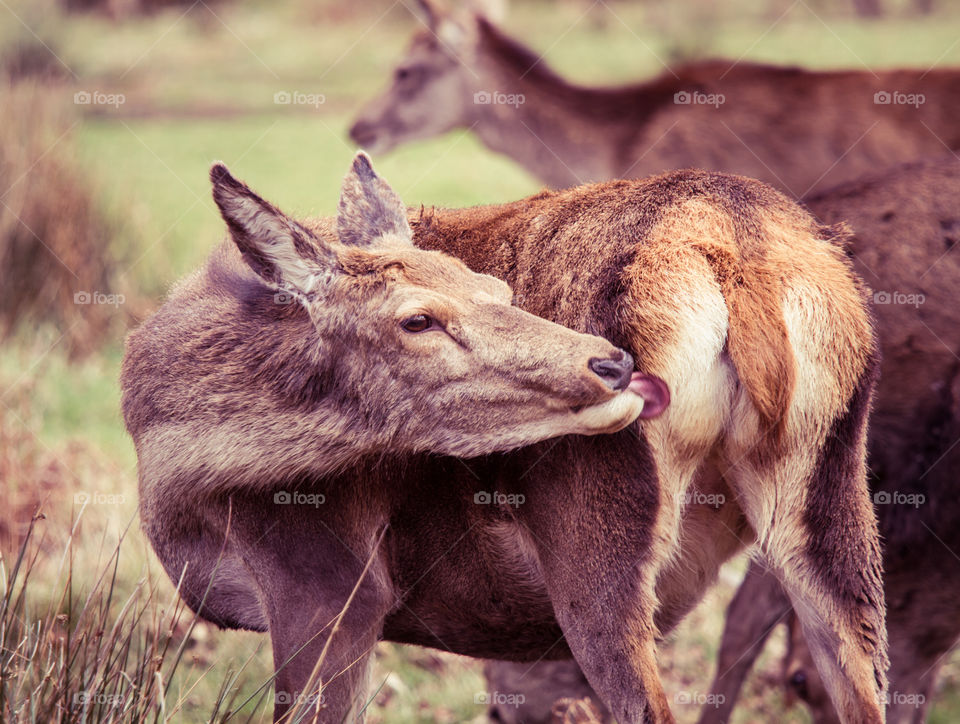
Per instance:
(77,648)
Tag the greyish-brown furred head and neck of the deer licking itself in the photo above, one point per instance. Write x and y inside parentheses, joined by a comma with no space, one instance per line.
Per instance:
(332,333)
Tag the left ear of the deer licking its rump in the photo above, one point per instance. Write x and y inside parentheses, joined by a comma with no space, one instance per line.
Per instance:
(276,247)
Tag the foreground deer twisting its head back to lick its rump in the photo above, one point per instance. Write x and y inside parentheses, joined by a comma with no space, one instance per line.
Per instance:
(474,429)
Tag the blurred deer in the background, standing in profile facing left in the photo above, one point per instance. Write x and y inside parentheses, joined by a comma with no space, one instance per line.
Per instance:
(799,130)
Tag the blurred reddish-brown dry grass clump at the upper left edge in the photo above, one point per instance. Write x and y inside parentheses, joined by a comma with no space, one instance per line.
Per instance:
(55,260)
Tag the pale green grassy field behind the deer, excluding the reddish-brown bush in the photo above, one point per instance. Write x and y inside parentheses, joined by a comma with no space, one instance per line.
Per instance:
(199,86)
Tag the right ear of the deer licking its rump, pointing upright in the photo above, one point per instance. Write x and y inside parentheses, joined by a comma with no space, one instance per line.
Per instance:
(370,210)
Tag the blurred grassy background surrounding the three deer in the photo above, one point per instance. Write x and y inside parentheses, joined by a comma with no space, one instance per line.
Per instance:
(111,113)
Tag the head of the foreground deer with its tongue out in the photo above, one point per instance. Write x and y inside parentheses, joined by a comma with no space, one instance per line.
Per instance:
(416,352)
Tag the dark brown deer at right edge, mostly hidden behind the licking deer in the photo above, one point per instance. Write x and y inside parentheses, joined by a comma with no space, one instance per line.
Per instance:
(906,222)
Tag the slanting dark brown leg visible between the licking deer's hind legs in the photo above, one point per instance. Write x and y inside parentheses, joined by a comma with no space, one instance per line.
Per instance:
(759,605)
